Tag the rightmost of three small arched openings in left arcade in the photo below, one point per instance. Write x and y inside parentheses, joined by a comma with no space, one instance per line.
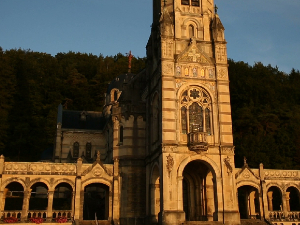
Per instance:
(62,198)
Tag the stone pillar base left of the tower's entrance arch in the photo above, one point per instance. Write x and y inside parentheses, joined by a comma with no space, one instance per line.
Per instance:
(171,217)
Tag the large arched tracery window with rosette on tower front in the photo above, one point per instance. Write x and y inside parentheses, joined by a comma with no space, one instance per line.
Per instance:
(196,114)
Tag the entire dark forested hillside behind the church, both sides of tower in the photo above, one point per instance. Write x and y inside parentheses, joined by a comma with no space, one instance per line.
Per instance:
(265,103)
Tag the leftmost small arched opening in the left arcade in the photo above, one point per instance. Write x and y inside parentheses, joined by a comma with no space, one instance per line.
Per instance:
(14,194)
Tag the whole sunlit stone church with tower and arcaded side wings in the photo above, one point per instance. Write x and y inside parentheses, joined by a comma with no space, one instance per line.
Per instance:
(161,152)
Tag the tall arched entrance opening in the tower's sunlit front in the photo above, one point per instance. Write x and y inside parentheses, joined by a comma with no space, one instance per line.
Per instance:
(199,192)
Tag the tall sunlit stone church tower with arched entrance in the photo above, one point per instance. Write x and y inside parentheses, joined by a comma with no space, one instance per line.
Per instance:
(190,153)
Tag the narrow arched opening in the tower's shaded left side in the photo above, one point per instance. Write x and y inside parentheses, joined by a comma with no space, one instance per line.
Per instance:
(155,195)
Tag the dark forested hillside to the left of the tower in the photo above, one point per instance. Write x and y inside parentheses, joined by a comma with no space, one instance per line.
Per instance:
(33,84)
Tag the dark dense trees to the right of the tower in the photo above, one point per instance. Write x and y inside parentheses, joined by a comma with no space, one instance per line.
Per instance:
(266,115)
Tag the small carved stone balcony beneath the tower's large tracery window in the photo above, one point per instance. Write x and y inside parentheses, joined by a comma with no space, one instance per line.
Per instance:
(197,141)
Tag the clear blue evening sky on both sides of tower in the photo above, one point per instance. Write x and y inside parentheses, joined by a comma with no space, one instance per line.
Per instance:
(266,31)
